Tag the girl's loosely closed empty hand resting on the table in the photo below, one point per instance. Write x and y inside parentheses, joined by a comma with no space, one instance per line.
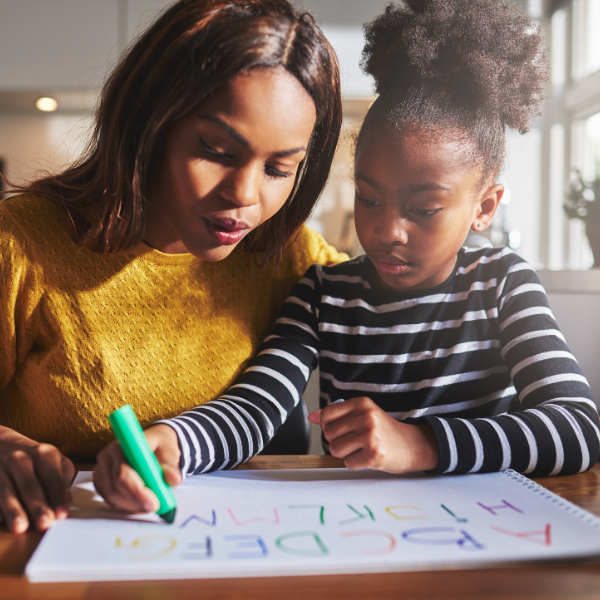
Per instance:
(366,437)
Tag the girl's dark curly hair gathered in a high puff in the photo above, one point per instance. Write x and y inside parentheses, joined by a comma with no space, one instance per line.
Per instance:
(473,67)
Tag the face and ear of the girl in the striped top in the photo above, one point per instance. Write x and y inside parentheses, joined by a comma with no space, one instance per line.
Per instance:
(416,199)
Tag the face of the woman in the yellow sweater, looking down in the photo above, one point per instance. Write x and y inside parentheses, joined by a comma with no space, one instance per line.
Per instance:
(229,165)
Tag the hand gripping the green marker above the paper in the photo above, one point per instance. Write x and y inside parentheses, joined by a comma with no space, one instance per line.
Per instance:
(122,487)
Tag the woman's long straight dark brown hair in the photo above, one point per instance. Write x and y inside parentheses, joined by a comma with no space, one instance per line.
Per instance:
(193,49)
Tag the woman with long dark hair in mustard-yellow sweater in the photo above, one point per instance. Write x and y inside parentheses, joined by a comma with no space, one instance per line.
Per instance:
(135,276)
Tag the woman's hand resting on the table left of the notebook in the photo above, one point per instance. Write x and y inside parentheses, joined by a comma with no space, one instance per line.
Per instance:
(35,482)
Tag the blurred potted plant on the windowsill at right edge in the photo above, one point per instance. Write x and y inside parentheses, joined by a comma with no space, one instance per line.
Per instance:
(583,202)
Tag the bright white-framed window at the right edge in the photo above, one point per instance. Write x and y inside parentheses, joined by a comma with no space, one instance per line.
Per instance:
(570,129)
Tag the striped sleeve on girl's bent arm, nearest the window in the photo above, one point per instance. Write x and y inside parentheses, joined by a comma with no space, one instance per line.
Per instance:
(552,426)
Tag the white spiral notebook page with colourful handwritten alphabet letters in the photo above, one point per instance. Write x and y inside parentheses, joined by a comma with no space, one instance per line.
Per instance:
(317,521)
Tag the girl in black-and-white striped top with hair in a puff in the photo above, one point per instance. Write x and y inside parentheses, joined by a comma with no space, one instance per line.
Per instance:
(446,359)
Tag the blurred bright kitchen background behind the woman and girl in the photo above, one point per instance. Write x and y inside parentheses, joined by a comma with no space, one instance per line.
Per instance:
(60,51)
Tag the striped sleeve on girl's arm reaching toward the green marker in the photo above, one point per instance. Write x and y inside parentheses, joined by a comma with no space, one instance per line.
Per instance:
(230,430)
